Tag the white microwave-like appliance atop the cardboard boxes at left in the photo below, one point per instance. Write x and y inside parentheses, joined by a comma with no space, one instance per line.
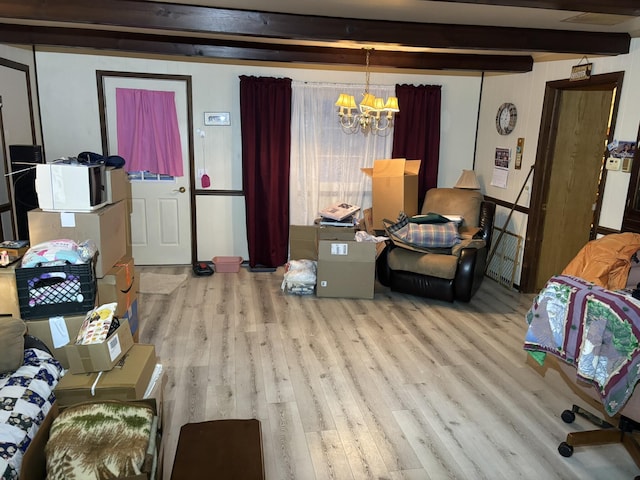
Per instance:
(71,187)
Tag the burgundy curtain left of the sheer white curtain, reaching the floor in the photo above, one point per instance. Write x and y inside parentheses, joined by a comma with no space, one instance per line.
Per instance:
(265,110)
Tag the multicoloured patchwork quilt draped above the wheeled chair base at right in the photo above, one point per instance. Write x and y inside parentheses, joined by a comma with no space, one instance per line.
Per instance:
(595,329)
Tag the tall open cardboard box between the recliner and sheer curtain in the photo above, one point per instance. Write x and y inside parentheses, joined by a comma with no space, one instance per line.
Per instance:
(394,185)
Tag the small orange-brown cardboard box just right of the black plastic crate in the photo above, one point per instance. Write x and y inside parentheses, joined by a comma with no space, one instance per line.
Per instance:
(120,284)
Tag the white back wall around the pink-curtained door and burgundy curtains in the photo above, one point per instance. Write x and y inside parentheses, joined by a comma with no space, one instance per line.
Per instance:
(69,104)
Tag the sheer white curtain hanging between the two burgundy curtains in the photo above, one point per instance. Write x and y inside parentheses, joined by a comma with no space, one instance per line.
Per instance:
(326,161)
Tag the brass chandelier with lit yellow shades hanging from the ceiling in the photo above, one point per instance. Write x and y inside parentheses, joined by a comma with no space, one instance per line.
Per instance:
(373,114)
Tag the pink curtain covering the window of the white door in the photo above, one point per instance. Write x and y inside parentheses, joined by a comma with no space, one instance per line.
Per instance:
(148,134)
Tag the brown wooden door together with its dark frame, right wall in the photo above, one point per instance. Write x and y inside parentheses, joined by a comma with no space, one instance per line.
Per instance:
(578,120)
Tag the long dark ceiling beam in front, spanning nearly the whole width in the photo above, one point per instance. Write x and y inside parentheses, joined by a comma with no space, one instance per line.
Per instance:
(174,18)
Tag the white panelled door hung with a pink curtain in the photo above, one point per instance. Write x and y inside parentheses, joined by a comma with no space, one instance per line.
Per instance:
(161,208)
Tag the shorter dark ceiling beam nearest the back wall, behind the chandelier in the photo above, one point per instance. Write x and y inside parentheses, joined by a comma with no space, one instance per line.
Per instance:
(256,51)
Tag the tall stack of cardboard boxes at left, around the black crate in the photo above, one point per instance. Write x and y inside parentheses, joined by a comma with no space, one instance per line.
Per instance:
(117,369)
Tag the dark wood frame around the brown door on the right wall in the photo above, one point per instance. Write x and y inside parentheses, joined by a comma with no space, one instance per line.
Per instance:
(544,163)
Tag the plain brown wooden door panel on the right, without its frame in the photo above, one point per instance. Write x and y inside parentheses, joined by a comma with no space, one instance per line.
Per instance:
(578,156)
